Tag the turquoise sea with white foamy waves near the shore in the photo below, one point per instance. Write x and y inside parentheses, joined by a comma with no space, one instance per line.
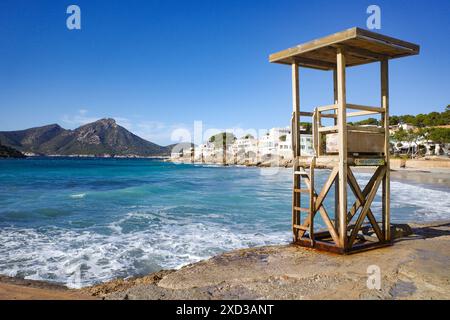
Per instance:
(82,221)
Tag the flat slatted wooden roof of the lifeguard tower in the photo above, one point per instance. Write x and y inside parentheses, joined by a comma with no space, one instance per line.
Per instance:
(361,47)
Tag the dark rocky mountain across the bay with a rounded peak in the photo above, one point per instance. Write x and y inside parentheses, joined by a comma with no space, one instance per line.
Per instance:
(101,137)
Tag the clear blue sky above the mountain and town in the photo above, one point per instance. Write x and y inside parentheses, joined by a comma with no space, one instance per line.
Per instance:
(159,65)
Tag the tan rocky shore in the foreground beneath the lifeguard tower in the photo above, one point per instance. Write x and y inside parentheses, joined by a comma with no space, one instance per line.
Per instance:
(415,267)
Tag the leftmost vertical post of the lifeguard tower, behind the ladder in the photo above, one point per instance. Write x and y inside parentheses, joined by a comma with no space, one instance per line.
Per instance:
(296,197)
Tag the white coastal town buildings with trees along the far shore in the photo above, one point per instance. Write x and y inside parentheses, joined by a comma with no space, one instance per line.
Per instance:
(275,147)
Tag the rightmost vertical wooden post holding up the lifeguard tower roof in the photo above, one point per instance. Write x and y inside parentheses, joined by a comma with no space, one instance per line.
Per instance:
(386,180)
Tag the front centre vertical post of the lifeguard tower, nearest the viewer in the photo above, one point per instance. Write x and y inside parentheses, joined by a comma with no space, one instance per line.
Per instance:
(342,138)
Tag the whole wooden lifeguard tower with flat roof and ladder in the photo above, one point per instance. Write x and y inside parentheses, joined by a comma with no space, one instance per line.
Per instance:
(340,146)
